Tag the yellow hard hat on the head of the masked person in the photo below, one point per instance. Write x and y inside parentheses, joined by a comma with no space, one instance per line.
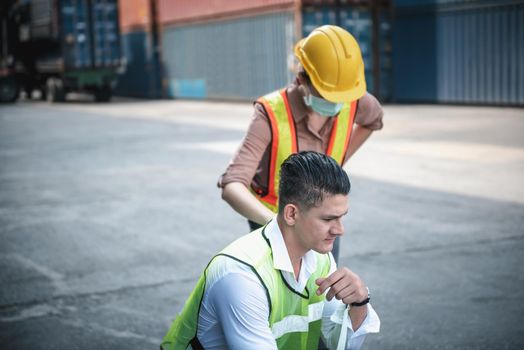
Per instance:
(332,59)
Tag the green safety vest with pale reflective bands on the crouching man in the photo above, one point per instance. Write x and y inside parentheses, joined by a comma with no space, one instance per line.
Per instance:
(294,318)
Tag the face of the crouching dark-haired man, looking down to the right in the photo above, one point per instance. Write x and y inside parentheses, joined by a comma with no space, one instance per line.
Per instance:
(318,227)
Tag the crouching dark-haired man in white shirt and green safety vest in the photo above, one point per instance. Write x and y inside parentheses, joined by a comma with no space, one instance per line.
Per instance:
(279,287)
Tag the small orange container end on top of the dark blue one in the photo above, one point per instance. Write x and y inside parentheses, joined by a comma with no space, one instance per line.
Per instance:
(135,15)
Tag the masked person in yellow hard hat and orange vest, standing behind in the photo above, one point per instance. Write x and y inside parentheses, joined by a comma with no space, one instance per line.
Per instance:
(326,109)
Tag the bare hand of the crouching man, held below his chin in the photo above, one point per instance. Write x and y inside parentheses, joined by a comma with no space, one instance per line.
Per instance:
(344,285)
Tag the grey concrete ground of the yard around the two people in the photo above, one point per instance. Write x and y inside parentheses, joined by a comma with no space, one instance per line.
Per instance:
(109,212)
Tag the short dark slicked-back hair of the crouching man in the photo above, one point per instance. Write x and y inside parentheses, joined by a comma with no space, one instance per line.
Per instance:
(306,177)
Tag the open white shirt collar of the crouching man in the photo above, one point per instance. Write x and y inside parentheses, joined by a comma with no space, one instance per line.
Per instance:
(281,260)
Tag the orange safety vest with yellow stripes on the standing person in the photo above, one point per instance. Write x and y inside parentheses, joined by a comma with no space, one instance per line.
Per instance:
(284,140)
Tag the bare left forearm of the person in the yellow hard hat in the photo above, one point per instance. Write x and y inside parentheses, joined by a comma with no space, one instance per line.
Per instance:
(245,203)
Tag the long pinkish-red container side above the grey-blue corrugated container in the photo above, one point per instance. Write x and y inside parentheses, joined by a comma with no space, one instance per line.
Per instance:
(186,10)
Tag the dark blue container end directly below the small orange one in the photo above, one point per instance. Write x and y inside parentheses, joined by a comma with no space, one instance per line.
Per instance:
(142,75)
